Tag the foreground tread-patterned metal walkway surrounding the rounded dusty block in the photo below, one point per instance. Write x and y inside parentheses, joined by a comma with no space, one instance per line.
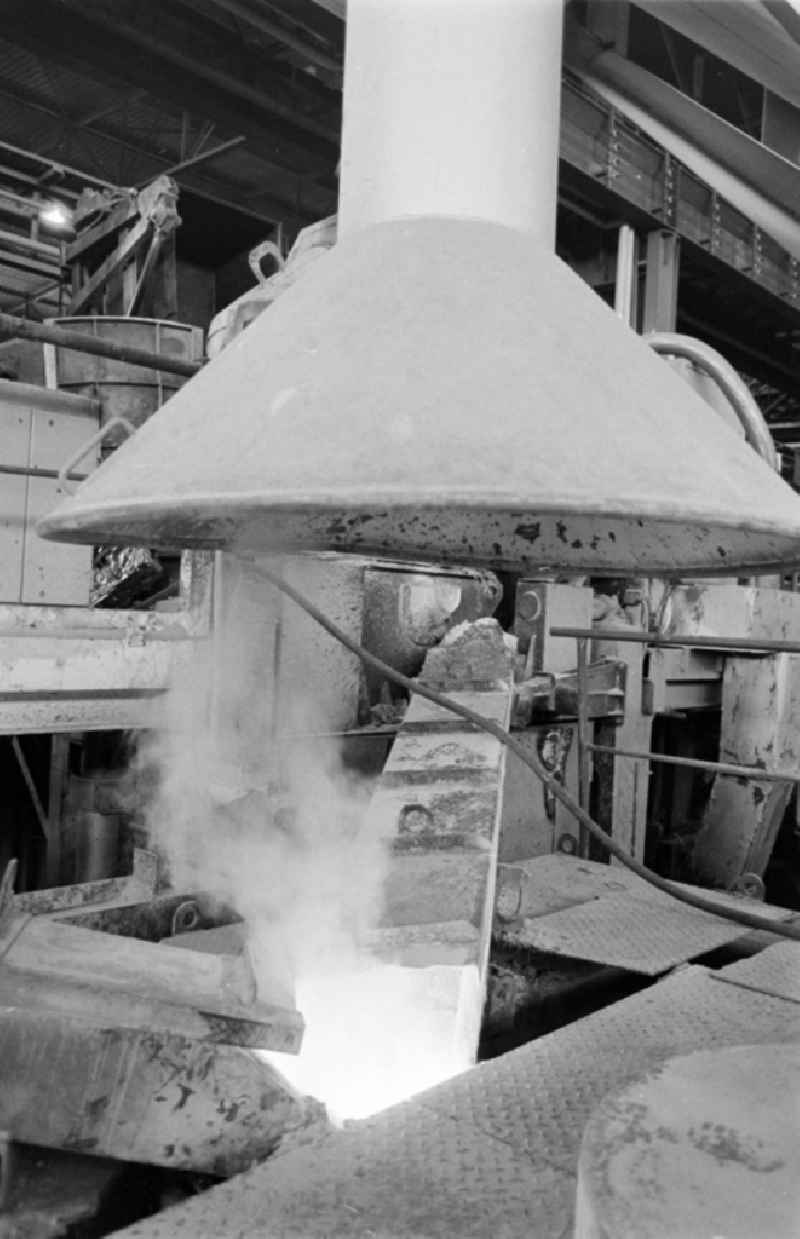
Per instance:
(493,1153)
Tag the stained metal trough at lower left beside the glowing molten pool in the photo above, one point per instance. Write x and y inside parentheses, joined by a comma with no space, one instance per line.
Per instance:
(116,1046)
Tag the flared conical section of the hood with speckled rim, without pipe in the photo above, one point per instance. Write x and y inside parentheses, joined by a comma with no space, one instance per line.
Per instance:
(446,390)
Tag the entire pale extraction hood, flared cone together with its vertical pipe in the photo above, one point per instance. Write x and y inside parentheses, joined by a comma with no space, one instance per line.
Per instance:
(440,386)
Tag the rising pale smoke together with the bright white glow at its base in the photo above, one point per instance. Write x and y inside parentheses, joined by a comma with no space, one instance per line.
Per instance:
(280,831)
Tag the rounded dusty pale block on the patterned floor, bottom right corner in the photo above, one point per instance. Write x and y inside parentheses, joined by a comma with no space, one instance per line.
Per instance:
(708,1144)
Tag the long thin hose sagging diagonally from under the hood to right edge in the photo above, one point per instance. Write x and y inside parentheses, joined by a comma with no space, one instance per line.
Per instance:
(695,901)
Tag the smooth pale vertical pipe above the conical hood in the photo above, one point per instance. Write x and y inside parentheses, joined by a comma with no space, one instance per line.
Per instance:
(451,108)
